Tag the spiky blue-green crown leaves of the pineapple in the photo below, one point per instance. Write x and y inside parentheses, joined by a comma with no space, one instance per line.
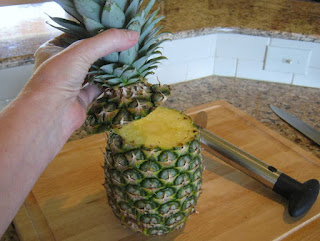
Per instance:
(93,16)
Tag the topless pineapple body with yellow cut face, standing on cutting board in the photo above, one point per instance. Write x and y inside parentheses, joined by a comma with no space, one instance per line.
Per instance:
(153,171)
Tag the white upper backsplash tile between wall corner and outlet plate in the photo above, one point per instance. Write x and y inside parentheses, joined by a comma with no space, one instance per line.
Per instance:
(241,46)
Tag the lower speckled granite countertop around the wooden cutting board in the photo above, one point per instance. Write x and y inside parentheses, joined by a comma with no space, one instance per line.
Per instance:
(252,97)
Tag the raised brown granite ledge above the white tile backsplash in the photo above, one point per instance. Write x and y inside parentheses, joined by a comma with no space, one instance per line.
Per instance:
(21,34)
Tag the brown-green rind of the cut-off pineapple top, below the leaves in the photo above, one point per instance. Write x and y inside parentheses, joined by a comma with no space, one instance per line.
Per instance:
(118,106)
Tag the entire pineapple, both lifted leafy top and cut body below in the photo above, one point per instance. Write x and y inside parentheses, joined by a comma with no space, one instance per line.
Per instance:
(153,165)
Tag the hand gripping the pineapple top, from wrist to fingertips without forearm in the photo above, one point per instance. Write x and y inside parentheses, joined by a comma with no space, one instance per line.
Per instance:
(62,75)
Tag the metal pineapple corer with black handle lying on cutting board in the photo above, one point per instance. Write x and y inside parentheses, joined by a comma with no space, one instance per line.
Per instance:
(301,196)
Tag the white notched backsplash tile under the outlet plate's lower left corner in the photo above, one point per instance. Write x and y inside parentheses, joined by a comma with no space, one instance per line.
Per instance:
(249,69)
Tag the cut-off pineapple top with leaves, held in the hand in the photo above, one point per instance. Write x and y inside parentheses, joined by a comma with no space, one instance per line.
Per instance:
(122,75)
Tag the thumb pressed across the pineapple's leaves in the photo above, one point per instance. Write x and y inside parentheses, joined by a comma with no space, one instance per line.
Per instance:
(73,62)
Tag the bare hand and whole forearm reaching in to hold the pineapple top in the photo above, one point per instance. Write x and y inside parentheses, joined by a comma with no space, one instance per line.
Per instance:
(35,126)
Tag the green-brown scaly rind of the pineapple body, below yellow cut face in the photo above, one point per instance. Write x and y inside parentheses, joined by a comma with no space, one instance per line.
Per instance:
(152,190)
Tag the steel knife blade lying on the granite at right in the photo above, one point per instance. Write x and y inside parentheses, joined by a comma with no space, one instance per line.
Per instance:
(298,124)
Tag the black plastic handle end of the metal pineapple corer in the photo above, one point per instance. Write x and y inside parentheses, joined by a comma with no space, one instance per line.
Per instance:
(301,196)
